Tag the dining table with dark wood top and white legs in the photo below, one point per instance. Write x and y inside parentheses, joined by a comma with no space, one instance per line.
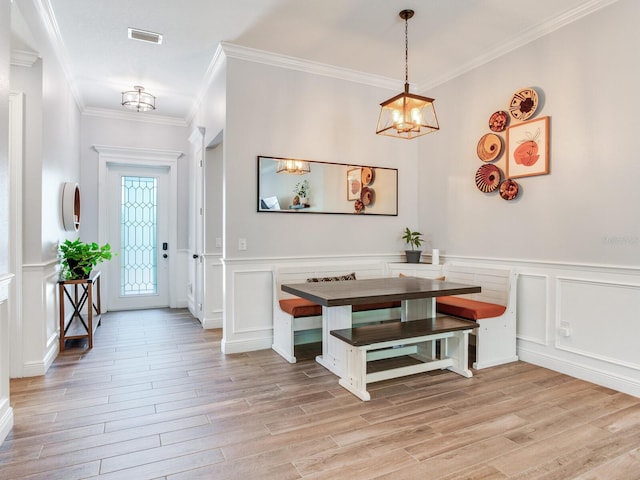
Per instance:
(417,297)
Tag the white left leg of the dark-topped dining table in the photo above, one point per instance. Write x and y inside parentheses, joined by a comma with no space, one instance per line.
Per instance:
(333,350)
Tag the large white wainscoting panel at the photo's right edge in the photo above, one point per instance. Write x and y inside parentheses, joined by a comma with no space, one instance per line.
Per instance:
(597,319)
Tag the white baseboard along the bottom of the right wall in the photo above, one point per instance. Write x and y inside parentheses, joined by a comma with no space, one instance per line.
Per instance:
(606,379)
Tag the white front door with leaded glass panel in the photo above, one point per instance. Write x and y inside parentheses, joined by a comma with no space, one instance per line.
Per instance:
(138,230)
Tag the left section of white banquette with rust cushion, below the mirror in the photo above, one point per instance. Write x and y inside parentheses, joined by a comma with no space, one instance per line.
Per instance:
(297,321)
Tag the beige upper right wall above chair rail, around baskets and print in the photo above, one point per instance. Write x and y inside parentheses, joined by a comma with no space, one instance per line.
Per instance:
(586,209)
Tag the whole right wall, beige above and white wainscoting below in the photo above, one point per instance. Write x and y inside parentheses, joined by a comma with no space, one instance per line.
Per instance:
(574,235)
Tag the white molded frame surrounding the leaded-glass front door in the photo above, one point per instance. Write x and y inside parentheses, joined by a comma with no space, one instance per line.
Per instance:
(137,157)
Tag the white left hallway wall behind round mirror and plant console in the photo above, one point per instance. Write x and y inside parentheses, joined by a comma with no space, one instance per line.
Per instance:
(51,157)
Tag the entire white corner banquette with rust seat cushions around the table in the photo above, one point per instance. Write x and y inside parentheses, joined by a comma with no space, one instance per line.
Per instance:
(297,321)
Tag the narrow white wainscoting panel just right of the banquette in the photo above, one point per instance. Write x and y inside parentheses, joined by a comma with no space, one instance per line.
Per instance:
(533,307)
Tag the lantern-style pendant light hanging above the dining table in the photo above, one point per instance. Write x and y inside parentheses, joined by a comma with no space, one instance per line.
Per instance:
(407,115)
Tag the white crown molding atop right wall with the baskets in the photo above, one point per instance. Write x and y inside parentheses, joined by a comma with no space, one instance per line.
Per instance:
(538,31)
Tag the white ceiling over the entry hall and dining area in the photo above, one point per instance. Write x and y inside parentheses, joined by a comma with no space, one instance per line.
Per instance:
(446,38)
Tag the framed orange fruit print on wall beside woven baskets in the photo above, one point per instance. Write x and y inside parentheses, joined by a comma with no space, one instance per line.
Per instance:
(528,148)
